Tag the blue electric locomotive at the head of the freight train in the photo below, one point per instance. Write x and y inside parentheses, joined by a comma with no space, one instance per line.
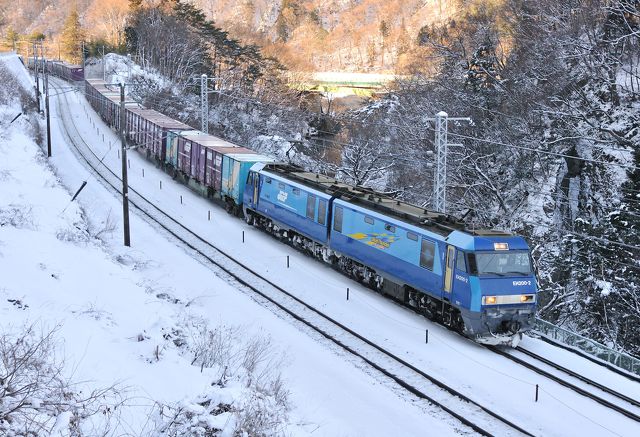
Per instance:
(480,283)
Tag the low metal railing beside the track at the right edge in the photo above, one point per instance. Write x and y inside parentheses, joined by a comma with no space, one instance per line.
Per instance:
(619,359)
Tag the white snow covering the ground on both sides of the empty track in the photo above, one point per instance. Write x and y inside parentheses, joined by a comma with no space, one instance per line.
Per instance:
(105,298)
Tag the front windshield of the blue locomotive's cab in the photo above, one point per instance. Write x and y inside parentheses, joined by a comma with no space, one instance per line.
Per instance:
(500,263)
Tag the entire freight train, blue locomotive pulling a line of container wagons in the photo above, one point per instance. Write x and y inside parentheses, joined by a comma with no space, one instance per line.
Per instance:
(480,283)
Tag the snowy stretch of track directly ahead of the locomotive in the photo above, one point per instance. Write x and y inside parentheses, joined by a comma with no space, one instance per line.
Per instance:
(616,406)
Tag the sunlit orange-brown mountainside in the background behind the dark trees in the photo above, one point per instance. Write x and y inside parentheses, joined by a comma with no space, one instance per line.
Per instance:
(356,35)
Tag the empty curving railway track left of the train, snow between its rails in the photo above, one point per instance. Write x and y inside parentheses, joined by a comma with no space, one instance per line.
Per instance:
(410,378)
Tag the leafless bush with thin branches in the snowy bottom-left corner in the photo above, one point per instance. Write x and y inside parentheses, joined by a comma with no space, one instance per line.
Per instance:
(35,396)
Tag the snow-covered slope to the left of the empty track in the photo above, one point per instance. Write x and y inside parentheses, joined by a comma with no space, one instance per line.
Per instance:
(106,298)
